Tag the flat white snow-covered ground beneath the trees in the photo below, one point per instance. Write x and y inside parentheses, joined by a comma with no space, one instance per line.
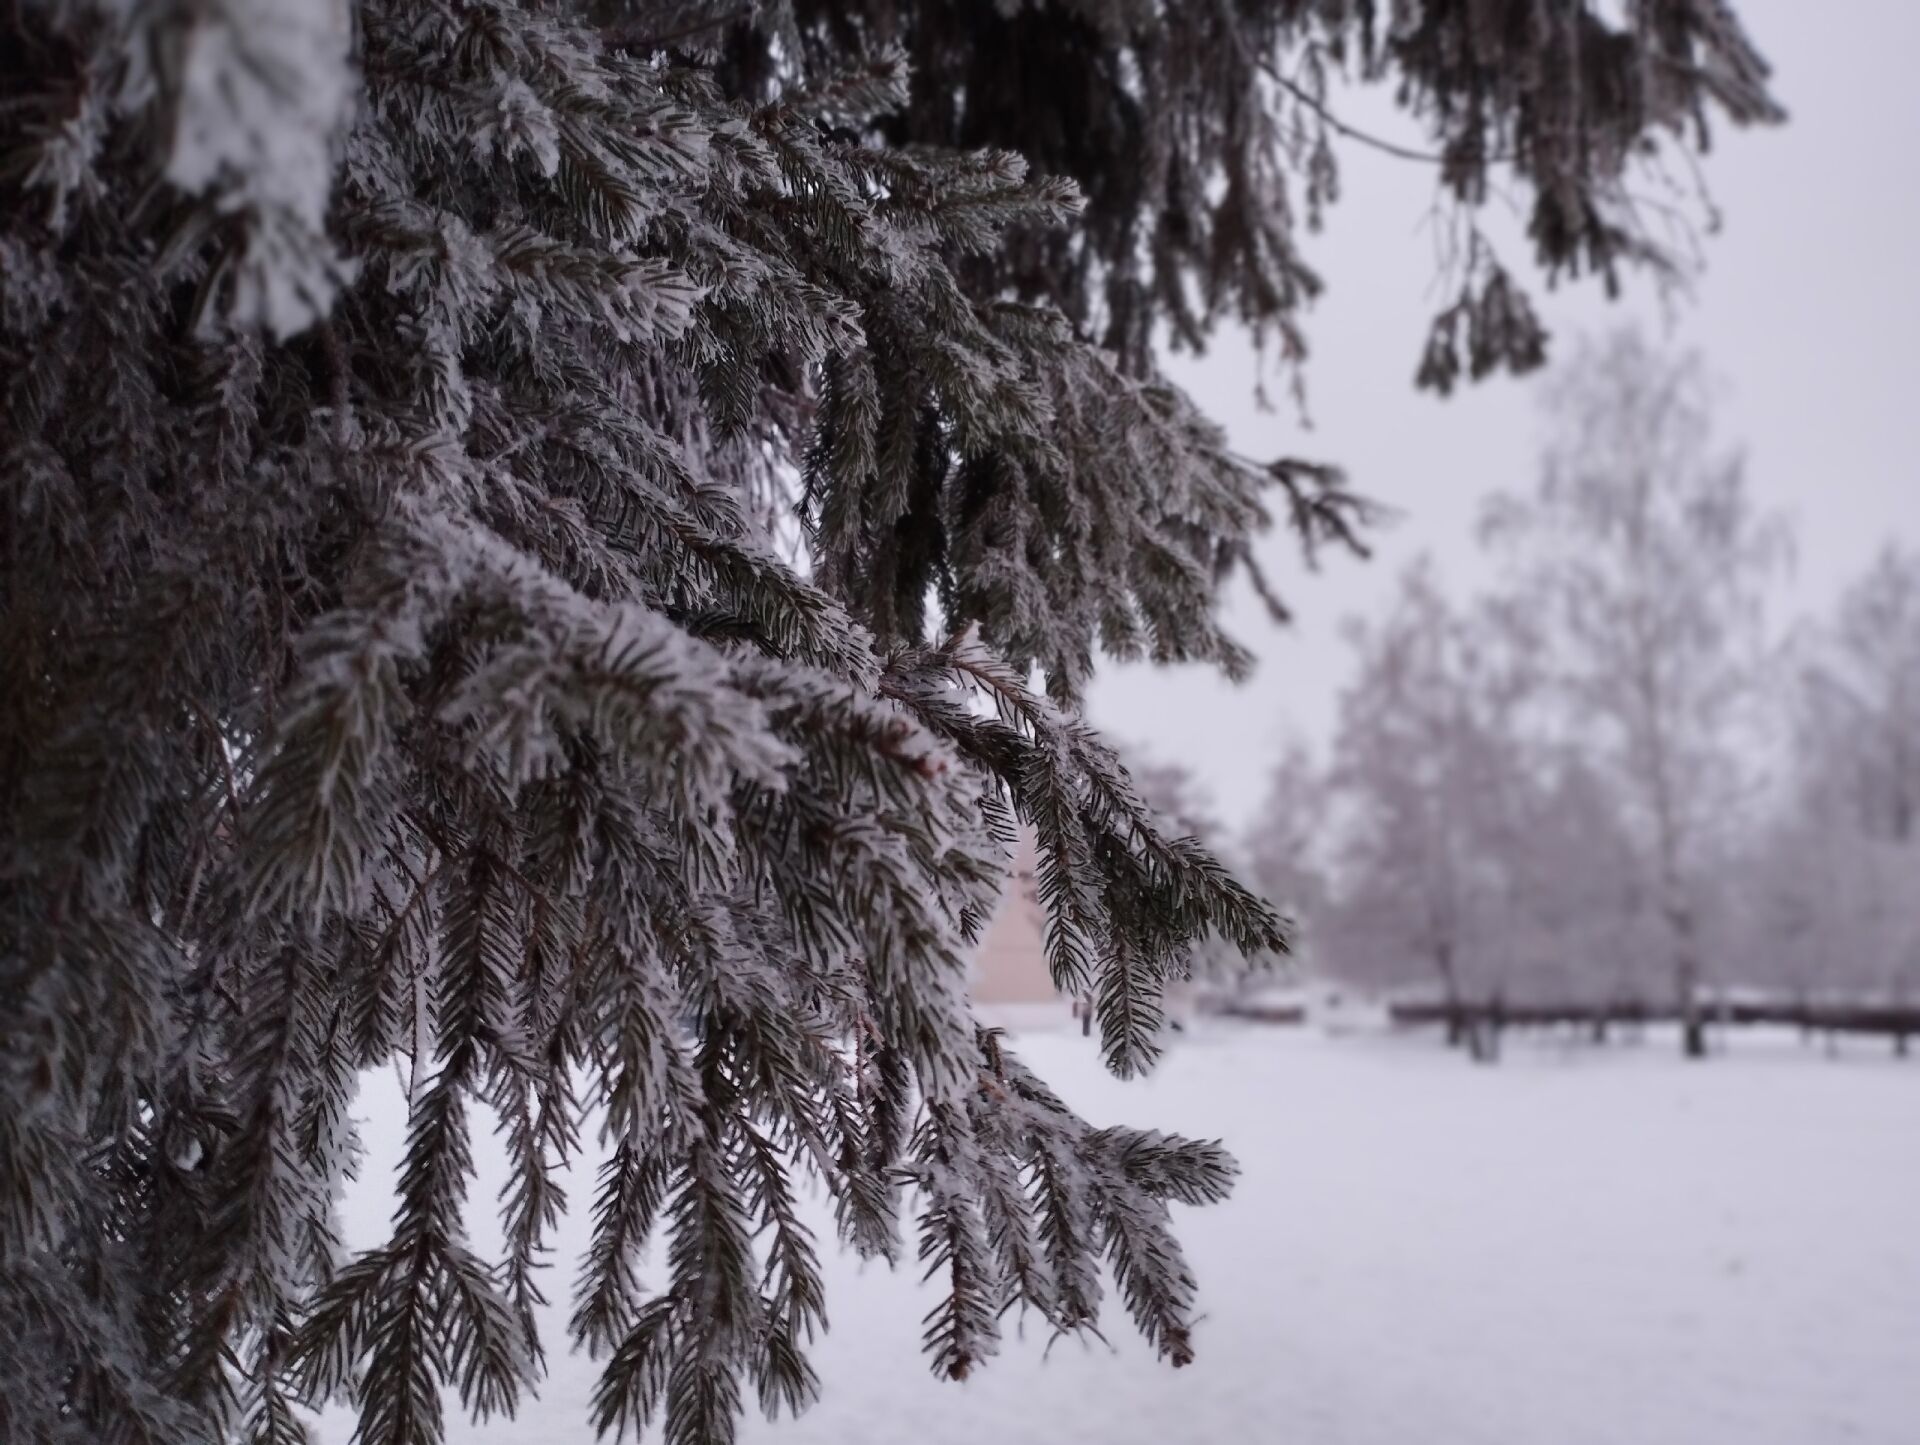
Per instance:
(1575,1248)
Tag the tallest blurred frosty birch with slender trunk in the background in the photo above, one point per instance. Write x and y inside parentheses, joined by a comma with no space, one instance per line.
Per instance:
(1646,569)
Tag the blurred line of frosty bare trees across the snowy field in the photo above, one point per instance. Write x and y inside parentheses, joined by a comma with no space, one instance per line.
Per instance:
(1616,782)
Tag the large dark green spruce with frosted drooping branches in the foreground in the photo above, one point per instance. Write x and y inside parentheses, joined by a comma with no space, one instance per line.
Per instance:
(400,400)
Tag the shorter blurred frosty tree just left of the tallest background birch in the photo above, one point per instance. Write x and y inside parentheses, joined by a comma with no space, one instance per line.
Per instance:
(1479,849)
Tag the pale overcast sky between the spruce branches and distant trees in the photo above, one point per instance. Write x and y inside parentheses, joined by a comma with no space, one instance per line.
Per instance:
(1808,310)
